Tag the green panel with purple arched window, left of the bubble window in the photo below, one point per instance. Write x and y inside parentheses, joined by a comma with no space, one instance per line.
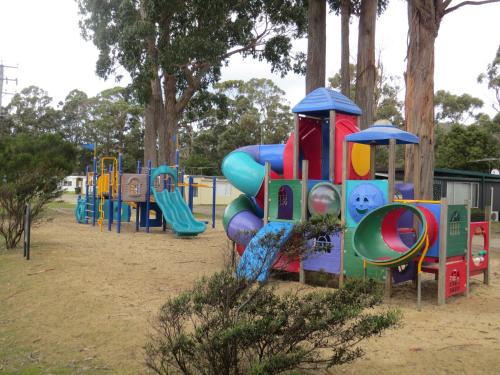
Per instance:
(284,204)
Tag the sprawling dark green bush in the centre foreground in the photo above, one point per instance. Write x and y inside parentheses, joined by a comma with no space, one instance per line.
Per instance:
(225,325)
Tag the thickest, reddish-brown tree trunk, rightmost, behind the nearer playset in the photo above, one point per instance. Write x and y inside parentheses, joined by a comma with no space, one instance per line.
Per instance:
(419,99)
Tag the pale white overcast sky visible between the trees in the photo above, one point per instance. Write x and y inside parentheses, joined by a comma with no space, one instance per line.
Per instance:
(43,39)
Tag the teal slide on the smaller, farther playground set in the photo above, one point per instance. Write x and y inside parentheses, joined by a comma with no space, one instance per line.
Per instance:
(175,210)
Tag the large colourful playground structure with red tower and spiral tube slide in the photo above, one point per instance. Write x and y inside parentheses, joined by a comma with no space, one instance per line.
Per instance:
(329,168)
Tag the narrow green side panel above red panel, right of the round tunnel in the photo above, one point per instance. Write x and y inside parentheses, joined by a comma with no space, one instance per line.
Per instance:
(456,238)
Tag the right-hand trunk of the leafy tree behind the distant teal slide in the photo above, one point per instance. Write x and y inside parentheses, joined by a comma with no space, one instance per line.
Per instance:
(169,127)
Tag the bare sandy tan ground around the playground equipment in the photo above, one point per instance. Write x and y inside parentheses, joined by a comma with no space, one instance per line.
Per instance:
(83,305)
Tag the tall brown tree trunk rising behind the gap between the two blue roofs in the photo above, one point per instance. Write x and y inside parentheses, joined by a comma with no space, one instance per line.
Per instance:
(366,69)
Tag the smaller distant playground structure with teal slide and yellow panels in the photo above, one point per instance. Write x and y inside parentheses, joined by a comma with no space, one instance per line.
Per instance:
(155,193)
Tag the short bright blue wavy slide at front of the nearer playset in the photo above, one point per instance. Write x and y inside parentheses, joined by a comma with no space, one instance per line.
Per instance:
(259,256)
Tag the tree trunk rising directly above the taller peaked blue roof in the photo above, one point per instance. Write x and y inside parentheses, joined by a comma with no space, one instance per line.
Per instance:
(316,45)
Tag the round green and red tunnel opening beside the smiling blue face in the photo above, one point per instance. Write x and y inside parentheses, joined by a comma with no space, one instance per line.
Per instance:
(381,239)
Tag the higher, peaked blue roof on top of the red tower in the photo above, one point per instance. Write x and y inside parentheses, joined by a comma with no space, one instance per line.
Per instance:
(322,100)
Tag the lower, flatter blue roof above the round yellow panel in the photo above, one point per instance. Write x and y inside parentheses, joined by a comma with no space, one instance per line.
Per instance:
(381,134)
